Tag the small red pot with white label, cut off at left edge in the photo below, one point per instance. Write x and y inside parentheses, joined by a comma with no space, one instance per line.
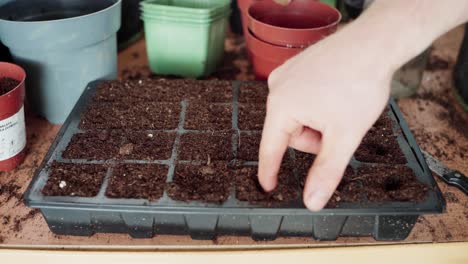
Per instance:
(12,125)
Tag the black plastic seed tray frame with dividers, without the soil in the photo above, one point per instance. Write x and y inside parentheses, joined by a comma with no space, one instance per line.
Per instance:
(141,218)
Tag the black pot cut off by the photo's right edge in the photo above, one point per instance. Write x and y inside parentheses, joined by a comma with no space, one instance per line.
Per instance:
(461,69)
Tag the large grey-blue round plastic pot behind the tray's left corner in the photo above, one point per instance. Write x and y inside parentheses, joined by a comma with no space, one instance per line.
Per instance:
(63,45)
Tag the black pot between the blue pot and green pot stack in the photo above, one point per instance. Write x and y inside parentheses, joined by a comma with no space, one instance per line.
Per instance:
(132,27)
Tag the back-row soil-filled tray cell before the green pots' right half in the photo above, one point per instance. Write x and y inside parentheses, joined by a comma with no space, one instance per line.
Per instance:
(215,91)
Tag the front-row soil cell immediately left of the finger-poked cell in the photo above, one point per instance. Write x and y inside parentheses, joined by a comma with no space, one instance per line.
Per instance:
(206,183)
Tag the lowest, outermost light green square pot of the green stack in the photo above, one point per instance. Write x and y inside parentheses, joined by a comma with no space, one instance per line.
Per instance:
(184,48)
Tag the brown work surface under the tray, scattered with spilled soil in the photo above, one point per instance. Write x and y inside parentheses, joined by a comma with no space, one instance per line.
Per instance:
(442,132)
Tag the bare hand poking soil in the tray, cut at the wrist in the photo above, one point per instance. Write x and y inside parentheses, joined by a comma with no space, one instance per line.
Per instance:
(323,101)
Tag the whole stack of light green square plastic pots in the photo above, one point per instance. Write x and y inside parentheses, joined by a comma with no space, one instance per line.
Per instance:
(185,37)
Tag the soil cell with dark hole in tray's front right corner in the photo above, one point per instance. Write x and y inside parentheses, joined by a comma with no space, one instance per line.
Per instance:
(386,183)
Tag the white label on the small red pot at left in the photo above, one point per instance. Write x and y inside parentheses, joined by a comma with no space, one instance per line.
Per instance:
(12,135)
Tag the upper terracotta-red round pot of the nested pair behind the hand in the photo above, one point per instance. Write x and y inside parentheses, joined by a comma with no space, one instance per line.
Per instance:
(301,23)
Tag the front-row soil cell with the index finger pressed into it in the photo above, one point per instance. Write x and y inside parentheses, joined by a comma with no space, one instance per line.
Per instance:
(248,188)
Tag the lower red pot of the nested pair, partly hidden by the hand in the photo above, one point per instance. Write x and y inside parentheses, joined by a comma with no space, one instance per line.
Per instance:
(266,57)
